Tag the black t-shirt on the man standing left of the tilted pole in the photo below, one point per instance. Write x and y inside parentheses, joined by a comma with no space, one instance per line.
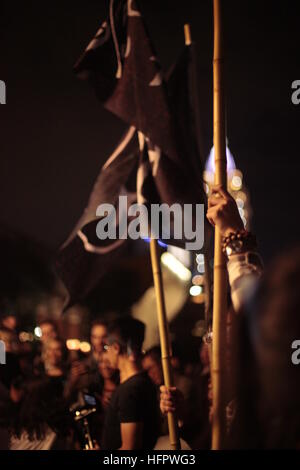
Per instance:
(134,401)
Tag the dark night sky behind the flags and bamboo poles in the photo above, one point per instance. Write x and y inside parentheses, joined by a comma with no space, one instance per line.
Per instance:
(55,135)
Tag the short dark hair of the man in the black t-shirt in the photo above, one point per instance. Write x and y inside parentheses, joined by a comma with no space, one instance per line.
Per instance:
(129,331)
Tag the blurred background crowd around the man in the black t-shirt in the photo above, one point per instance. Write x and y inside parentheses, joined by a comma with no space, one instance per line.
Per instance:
(54,398)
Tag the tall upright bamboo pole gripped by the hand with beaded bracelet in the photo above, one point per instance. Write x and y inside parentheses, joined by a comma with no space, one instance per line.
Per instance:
(220,272)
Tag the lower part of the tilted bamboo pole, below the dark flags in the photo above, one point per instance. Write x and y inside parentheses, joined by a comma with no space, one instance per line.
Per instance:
(164,338)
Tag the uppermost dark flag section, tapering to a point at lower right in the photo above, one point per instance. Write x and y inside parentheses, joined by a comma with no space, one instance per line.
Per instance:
(122,66)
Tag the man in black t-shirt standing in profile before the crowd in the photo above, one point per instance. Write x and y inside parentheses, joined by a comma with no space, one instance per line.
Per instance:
(132,417)
